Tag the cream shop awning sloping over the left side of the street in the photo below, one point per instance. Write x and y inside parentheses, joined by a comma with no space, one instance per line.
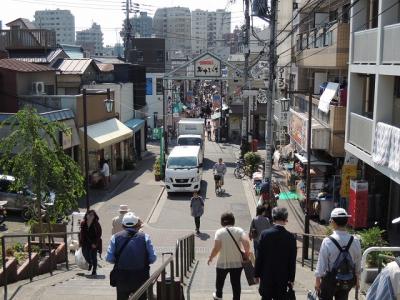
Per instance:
(106,133)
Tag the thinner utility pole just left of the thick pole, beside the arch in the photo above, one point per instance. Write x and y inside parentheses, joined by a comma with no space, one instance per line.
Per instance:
(246,67)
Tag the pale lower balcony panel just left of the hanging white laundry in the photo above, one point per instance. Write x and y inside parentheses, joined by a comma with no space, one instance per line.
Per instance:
(361,132)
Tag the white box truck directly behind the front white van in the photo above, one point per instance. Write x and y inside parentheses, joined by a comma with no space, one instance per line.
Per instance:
(191,133)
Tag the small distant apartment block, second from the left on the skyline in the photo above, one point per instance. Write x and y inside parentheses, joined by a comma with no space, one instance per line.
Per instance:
(91,39)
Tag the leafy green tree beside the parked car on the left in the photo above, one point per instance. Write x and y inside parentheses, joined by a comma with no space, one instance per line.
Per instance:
(32,154)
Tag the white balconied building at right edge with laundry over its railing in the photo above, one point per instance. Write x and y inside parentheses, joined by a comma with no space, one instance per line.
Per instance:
(373,108)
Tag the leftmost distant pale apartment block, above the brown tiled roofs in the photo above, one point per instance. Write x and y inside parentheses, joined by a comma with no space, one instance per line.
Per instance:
(61,21)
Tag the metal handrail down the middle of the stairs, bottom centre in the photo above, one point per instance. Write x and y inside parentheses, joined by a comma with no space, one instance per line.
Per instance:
(179,264)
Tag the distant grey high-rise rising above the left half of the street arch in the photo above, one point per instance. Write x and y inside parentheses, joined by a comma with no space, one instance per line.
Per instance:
(174,25)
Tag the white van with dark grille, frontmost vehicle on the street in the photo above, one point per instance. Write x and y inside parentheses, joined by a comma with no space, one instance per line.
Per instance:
(183,172)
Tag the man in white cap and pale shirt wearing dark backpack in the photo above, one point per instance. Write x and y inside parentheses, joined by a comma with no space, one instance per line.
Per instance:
(339,261)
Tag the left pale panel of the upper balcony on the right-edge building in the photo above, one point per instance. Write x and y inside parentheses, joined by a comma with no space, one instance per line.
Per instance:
(365,46)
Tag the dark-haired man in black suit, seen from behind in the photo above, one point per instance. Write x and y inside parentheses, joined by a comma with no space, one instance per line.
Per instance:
(276,261)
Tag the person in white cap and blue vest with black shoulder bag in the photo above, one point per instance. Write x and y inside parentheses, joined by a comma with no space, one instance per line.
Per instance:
(132,252)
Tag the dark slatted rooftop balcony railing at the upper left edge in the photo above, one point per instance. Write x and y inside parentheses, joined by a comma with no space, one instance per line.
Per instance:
(22,39)
